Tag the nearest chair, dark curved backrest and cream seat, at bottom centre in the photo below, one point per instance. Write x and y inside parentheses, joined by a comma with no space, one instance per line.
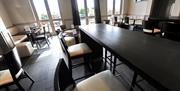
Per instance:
(103,81)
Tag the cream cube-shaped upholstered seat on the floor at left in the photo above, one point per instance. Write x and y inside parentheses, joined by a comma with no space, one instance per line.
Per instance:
(25,49)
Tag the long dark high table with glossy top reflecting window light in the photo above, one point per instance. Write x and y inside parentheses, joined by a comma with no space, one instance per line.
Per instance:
(155,59)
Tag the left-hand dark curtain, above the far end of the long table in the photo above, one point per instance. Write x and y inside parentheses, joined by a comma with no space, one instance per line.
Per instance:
(75,13)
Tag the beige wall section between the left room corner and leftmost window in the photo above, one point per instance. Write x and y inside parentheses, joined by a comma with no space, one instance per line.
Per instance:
(19,11)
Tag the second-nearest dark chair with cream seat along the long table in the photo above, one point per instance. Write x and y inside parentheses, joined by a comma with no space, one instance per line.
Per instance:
(80,50)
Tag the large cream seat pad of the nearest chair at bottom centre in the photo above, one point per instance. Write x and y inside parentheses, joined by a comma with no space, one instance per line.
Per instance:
(103,81)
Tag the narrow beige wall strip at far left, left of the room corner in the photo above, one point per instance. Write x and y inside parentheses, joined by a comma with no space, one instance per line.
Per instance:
(4,15)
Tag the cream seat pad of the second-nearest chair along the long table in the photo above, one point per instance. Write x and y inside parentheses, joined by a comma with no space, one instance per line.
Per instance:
(79,49)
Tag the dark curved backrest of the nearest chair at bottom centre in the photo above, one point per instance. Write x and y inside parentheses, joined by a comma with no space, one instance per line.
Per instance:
(63,80)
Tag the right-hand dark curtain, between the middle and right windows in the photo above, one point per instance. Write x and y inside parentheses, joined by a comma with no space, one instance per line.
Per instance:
(97,11)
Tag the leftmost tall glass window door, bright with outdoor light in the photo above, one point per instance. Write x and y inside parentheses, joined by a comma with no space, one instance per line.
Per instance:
(48,13)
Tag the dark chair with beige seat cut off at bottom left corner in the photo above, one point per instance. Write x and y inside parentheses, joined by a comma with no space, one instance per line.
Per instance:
(12,73)
